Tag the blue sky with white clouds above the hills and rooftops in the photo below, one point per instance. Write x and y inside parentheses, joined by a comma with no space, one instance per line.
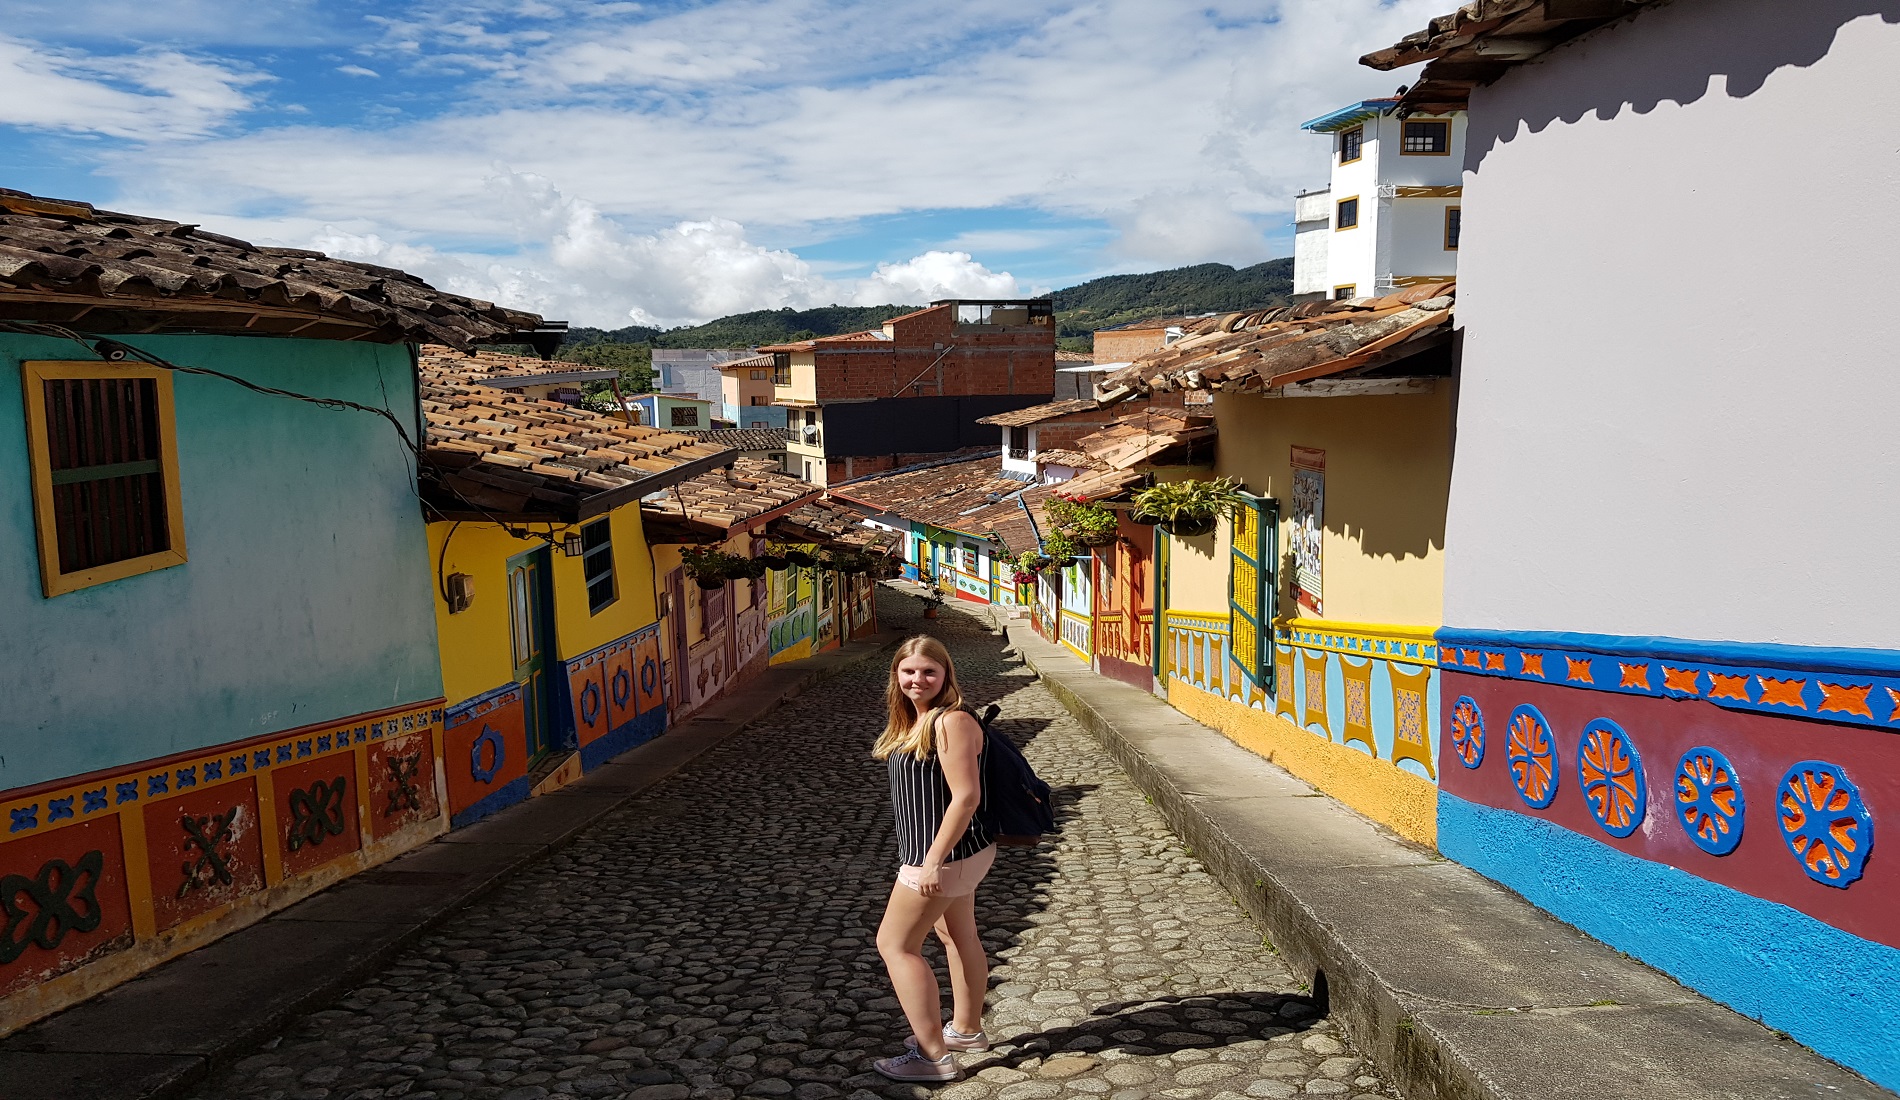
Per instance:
(668,162)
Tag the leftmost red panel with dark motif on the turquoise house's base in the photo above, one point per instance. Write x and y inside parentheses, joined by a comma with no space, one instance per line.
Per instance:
(64,901)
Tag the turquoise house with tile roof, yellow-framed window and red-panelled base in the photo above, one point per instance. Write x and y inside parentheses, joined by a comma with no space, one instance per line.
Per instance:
(221,670)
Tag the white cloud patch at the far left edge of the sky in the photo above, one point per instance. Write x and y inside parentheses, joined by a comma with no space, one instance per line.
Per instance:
(140,96)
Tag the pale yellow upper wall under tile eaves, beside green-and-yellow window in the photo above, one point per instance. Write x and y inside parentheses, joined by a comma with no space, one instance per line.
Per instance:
(1388,480)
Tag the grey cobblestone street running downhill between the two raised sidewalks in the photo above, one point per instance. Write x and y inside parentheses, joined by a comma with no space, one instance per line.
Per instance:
(713,939)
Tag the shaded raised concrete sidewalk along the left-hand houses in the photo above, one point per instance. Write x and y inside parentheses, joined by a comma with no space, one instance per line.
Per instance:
(164,1033)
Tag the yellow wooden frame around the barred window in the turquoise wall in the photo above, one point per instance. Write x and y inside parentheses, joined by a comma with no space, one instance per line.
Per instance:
(35,373)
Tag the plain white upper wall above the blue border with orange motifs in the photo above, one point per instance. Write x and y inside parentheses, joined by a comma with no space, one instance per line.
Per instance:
(1681,400)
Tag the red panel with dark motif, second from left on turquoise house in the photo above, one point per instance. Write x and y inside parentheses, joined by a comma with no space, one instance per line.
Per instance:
(204,850)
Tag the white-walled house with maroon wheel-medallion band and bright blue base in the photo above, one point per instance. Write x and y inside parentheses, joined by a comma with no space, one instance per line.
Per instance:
(1669,656)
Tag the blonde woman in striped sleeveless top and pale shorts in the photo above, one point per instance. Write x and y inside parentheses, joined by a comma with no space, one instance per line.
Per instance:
(934,751)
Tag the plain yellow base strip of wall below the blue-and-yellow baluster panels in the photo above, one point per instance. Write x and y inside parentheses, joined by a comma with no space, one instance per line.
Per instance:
(1405,803)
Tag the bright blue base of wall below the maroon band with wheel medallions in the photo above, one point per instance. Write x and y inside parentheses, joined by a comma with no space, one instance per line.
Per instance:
(1827,989)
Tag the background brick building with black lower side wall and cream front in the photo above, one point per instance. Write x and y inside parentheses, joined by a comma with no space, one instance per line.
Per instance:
(915,389)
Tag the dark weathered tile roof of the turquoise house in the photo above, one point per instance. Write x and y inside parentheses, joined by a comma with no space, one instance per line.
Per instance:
(64,259)
